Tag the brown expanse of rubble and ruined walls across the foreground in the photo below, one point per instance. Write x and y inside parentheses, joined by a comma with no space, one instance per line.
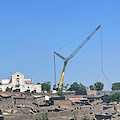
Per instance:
(66,108)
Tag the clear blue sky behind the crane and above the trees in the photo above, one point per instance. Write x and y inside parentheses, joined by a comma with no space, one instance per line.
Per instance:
(31,30)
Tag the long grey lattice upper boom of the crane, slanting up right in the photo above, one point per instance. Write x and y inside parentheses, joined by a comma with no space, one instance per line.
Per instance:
(83,43)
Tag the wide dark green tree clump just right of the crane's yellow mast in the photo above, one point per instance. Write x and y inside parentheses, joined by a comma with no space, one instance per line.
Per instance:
(77,87)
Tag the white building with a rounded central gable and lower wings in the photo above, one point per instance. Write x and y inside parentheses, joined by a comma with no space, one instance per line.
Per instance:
(17,82)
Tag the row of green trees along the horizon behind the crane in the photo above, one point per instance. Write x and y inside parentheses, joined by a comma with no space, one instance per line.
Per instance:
(46,86)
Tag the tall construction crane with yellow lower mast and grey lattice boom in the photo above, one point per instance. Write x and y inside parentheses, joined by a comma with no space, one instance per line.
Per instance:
(71,56)
